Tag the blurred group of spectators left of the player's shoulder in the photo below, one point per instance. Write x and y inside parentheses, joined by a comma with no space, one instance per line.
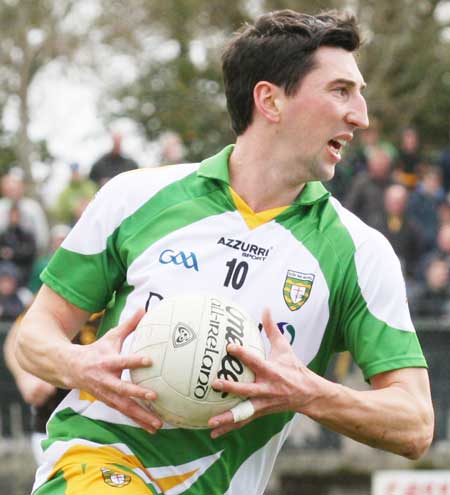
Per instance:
(30,233)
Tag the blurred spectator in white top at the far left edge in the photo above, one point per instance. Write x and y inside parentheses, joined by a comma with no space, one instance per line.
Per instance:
(32,216)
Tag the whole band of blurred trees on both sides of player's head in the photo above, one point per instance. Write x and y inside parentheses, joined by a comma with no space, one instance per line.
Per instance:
(171,50)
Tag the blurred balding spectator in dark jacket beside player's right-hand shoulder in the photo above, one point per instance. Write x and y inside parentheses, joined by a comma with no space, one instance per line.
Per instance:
(404,235)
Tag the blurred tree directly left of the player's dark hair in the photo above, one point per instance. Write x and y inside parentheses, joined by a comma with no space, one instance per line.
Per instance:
(179,86)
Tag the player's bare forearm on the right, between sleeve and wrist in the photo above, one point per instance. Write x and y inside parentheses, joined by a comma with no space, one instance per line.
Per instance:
(390,418)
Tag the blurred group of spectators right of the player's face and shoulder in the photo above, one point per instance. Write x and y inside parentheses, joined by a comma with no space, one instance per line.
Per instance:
(400,190)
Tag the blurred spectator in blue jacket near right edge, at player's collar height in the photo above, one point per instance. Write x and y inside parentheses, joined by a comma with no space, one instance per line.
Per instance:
(423,207)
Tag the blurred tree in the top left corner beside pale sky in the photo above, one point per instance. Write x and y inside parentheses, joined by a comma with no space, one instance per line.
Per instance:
(33,34)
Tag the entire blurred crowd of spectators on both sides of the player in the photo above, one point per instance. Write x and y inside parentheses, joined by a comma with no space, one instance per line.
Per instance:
(395,187)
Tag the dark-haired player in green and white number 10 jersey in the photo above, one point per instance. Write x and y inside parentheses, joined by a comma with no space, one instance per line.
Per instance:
(294,96)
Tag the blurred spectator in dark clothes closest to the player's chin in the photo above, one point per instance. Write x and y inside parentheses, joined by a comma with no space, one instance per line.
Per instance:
(366,195)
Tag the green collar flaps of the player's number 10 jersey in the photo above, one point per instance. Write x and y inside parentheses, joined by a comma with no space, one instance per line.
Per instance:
(216,167)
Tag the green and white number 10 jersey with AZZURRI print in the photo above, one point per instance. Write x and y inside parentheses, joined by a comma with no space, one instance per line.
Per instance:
(331,283)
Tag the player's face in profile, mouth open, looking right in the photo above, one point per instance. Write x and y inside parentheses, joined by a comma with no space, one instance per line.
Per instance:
(320,118)
